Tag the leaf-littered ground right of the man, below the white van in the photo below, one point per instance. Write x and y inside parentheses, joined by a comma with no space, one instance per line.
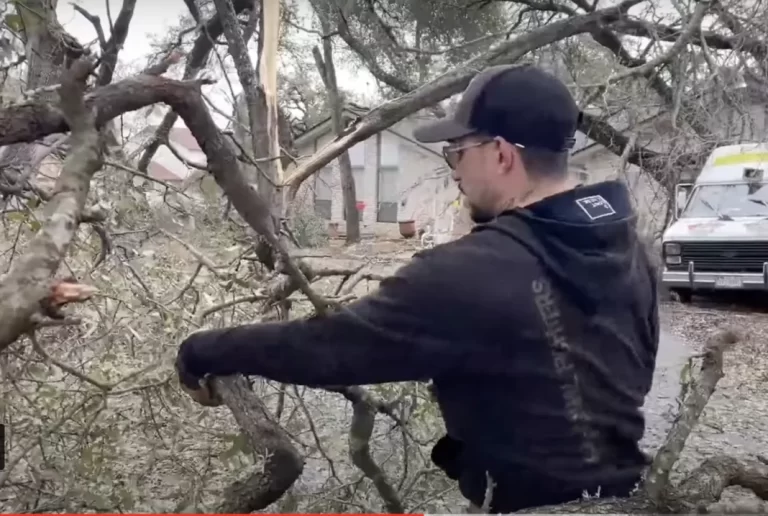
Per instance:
(736,416)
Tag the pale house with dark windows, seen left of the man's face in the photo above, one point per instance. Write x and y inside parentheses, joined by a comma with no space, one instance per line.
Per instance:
(396,178)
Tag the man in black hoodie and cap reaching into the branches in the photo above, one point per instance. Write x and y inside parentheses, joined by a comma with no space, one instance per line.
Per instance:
(539,329)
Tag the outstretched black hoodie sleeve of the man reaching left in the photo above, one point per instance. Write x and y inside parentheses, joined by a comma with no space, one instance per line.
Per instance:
(392,335)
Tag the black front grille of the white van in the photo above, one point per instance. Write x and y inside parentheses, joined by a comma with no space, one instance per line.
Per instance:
(724,256)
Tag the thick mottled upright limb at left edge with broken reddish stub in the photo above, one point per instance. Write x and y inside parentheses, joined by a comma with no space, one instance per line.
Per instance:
(27,285)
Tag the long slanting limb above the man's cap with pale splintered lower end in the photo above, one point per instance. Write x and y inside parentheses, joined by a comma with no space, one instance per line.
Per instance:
(450,83)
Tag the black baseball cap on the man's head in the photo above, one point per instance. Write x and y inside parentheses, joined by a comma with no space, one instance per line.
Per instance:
(523,104)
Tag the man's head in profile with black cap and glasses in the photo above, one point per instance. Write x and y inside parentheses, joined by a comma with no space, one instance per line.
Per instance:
(509,137)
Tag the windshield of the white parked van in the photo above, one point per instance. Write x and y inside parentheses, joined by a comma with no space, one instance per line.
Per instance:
(729,200)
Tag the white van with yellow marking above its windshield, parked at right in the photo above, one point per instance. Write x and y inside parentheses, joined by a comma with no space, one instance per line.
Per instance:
(719,239)
